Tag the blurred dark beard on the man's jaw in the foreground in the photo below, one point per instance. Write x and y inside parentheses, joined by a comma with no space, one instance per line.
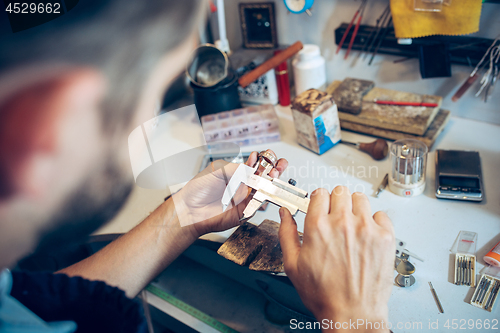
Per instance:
(94,203)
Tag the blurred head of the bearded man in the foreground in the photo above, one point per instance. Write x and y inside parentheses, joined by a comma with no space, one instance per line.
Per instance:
(71,91)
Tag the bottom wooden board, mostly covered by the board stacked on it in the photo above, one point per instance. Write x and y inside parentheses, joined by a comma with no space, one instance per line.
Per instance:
(428,138)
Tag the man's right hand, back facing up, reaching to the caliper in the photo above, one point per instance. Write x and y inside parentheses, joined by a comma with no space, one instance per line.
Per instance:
(343,269)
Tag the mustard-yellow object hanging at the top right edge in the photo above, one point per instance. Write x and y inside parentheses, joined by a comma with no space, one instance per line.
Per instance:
(461,17)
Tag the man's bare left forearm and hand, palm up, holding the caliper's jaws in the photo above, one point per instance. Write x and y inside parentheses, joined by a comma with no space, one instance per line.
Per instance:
(133,260)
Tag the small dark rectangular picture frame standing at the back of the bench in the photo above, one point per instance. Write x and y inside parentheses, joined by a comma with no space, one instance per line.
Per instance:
(258,25)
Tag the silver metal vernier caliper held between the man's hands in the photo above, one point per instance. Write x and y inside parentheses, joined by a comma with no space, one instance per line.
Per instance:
(265,188)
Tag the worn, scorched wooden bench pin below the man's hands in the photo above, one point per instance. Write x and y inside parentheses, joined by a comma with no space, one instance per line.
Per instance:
(255,246)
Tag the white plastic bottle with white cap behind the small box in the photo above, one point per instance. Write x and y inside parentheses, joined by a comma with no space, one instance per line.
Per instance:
(309,69)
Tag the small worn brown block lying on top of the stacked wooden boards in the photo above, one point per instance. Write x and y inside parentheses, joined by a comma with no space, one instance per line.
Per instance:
(349,94)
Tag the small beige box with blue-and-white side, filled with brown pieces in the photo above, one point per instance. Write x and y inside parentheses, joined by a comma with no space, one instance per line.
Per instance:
(316,120)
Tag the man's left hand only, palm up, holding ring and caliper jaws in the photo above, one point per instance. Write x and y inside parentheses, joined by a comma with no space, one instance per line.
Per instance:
(198,203)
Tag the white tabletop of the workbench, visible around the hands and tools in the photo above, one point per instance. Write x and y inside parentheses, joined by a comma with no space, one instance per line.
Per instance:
(428,225)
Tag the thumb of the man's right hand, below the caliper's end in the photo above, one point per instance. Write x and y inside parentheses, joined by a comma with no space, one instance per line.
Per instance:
(289,241)
